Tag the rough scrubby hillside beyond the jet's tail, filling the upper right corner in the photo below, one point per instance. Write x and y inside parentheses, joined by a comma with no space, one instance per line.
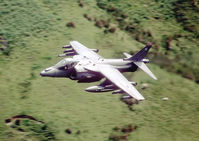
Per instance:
(140,21)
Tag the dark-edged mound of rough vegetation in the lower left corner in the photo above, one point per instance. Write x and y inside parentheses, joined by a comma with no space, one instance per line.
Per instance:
(32,129)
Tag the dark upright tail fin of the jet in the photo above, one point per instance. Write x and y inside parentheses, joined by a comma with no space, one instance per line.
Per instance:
(141,54)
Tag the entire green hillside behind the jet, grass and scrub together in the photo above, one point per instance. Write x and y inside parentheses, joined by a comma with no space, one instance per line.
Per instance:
(31,36)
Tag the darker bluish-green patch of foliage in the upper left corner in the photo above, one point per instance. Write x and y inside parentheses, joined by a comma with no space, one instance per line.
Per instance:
(21,19)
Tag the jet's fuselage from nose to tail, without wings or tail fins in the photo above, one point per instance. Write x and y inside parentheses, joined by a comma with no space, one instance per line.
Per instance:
(73,68)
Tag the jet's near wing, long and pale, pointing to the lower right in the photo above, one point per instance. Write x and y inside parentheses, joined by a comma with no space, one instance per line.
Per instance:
(117,78)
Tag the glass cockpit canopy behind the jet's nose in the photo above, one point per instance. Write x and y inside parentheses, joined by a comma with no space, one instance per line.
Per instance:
(65,64)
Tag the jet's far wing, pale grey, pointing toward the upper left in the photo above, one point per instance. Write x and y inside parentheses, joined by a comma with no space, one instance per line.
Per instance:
(84,51)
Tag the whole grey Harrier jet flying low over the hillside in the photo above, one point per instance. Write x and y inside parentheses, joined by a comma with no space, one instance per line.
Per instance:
(87,66)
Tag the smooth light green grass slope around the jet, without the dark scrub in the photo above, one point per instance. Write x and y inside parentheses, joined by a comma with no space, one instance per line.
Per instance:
(62,103)
